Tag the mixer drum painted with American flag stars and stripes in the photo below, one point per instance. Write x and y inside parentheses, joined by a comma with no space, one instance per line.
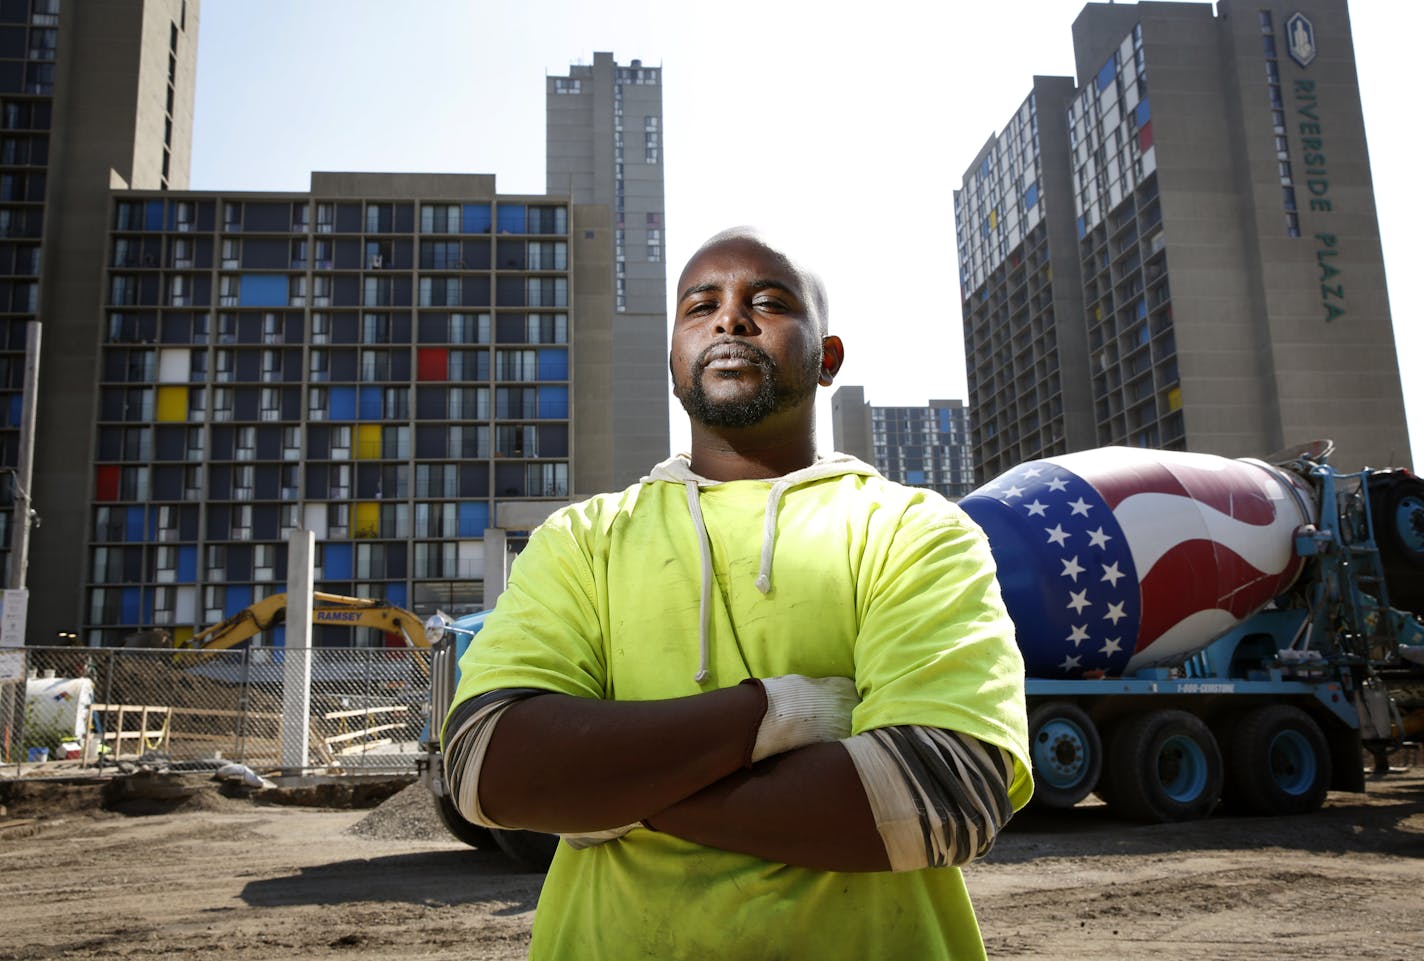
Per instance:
(1119,559)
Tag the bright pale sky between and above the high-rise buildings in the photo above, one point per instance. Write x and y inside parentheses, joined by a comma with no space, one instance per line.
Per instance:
(841,135)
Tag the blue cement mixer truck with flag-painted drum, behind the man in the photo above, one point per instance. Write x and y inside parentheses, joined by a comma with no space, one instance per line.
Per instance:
(1197,630)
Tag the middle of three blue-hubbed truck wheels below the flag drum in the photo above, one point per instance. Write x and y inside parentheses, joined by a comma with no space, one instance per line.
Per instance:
(1166,768)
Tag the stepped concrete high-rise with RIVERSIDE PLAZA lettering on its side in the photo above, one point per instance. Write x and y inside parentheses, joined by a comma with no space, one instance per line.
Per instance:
(1205,248)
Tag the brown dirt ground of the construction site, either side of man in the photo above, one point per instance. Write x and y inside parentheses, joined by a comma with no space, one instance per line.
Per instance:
(217,879)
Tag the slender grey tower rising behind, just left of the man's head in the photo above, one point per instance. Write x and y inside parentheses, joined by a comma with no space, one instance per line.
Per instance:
(606,147)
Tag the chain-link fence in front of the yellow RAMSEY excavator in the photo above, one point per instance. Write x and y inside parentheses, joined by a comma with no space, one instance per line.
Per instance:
(96,707)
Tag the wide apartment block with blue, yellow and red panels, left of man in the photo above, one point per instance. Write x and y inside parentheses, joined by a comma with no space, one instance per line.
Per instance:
(382,361)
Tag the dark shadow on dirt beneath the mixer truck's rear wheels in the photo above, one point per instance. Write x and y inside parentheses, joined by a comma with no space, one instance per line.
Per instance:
(1388,821)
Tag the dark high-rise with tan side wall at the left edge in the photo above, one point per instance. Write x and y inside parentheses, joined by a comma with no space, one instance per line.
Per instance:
(93,96)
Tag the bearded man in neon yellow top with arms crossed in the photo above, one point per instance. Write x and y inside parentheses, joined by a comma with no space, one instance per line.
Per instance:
(770,701)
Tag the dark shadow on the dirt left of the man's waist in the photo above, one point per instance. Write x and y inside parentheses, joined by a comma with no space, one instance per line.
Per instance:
(425,878)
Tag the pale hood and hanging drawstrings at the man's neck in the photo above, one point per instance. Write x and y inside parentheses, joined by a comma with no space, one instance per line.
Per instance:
(679,471)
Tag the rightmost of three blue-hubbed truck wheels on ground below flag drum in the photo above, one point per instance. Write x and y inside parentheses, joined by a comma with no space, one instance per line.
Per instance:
(1279,762)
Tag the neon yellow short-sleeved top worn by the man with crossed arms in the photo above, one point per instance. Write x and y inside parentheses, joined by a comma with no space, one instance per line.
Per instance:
(680,586)
